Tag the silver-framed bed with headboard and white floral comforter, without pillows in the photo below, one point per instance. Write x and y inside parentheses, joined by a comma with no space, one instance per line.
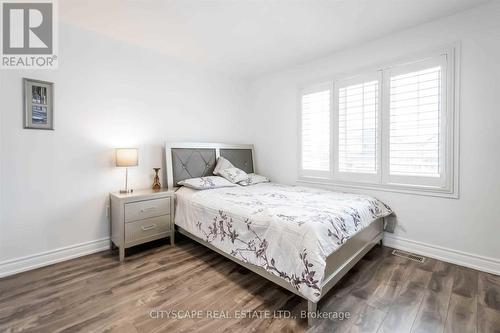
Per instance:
(303,239)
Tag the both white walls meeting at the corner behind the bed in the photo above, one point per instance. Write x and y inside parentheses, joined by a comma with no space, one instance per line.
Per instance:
(54,185)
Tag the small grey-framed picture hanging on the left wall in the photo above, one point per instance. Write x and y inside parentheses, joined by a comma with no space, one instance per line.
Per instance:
(38,104)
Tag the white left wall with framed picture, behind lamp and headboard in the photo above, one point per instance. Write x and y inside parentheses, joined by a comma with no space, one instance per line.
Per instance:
(55,184)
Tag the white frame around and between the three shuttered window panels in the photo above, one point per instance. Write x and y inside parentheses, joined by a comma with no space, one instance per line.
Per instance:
(449,187)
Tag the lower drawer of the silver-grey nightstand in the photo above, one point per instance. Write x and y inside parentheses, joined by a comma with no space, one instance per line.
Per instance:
(135,231)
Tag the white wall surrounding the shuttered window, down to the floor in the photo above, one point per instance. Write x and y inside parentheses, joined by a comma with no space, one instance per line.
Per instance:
(439,227)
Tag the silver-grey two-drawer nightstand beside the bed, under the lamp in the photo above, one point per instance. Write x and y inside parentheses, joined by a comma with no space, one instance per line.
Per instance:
(140,217)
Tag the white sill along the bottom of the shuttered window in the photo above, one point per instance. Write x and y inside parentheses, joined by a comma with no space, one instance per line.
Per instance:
(407,189)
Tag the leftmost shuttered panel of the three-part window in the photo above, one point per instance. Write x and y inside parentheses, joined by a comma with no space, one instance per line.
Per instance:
(315,130)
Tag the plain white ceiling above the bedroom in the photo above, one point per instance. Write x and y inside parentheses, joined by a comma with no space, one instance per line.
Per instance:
(252,37)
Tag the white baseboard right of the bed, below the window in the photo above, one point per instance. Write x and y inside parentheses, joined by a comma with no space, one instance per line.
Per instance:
(481,263)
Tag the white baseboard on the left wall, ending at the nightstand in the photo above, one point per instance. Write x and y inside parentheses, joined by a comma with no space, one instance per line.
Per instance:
(27,263)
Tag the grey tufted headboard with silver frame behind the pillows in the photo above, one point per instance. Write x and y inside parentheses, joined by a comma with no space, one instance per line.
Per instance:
(190,160)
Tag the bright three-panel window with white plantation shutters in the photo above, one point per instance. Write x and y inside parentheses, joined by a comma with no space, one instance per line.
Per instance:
(390,128)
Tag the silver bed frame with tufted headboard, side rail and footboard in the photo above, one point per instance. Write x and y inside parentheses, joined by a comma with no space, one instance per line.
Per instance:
(188,160)
